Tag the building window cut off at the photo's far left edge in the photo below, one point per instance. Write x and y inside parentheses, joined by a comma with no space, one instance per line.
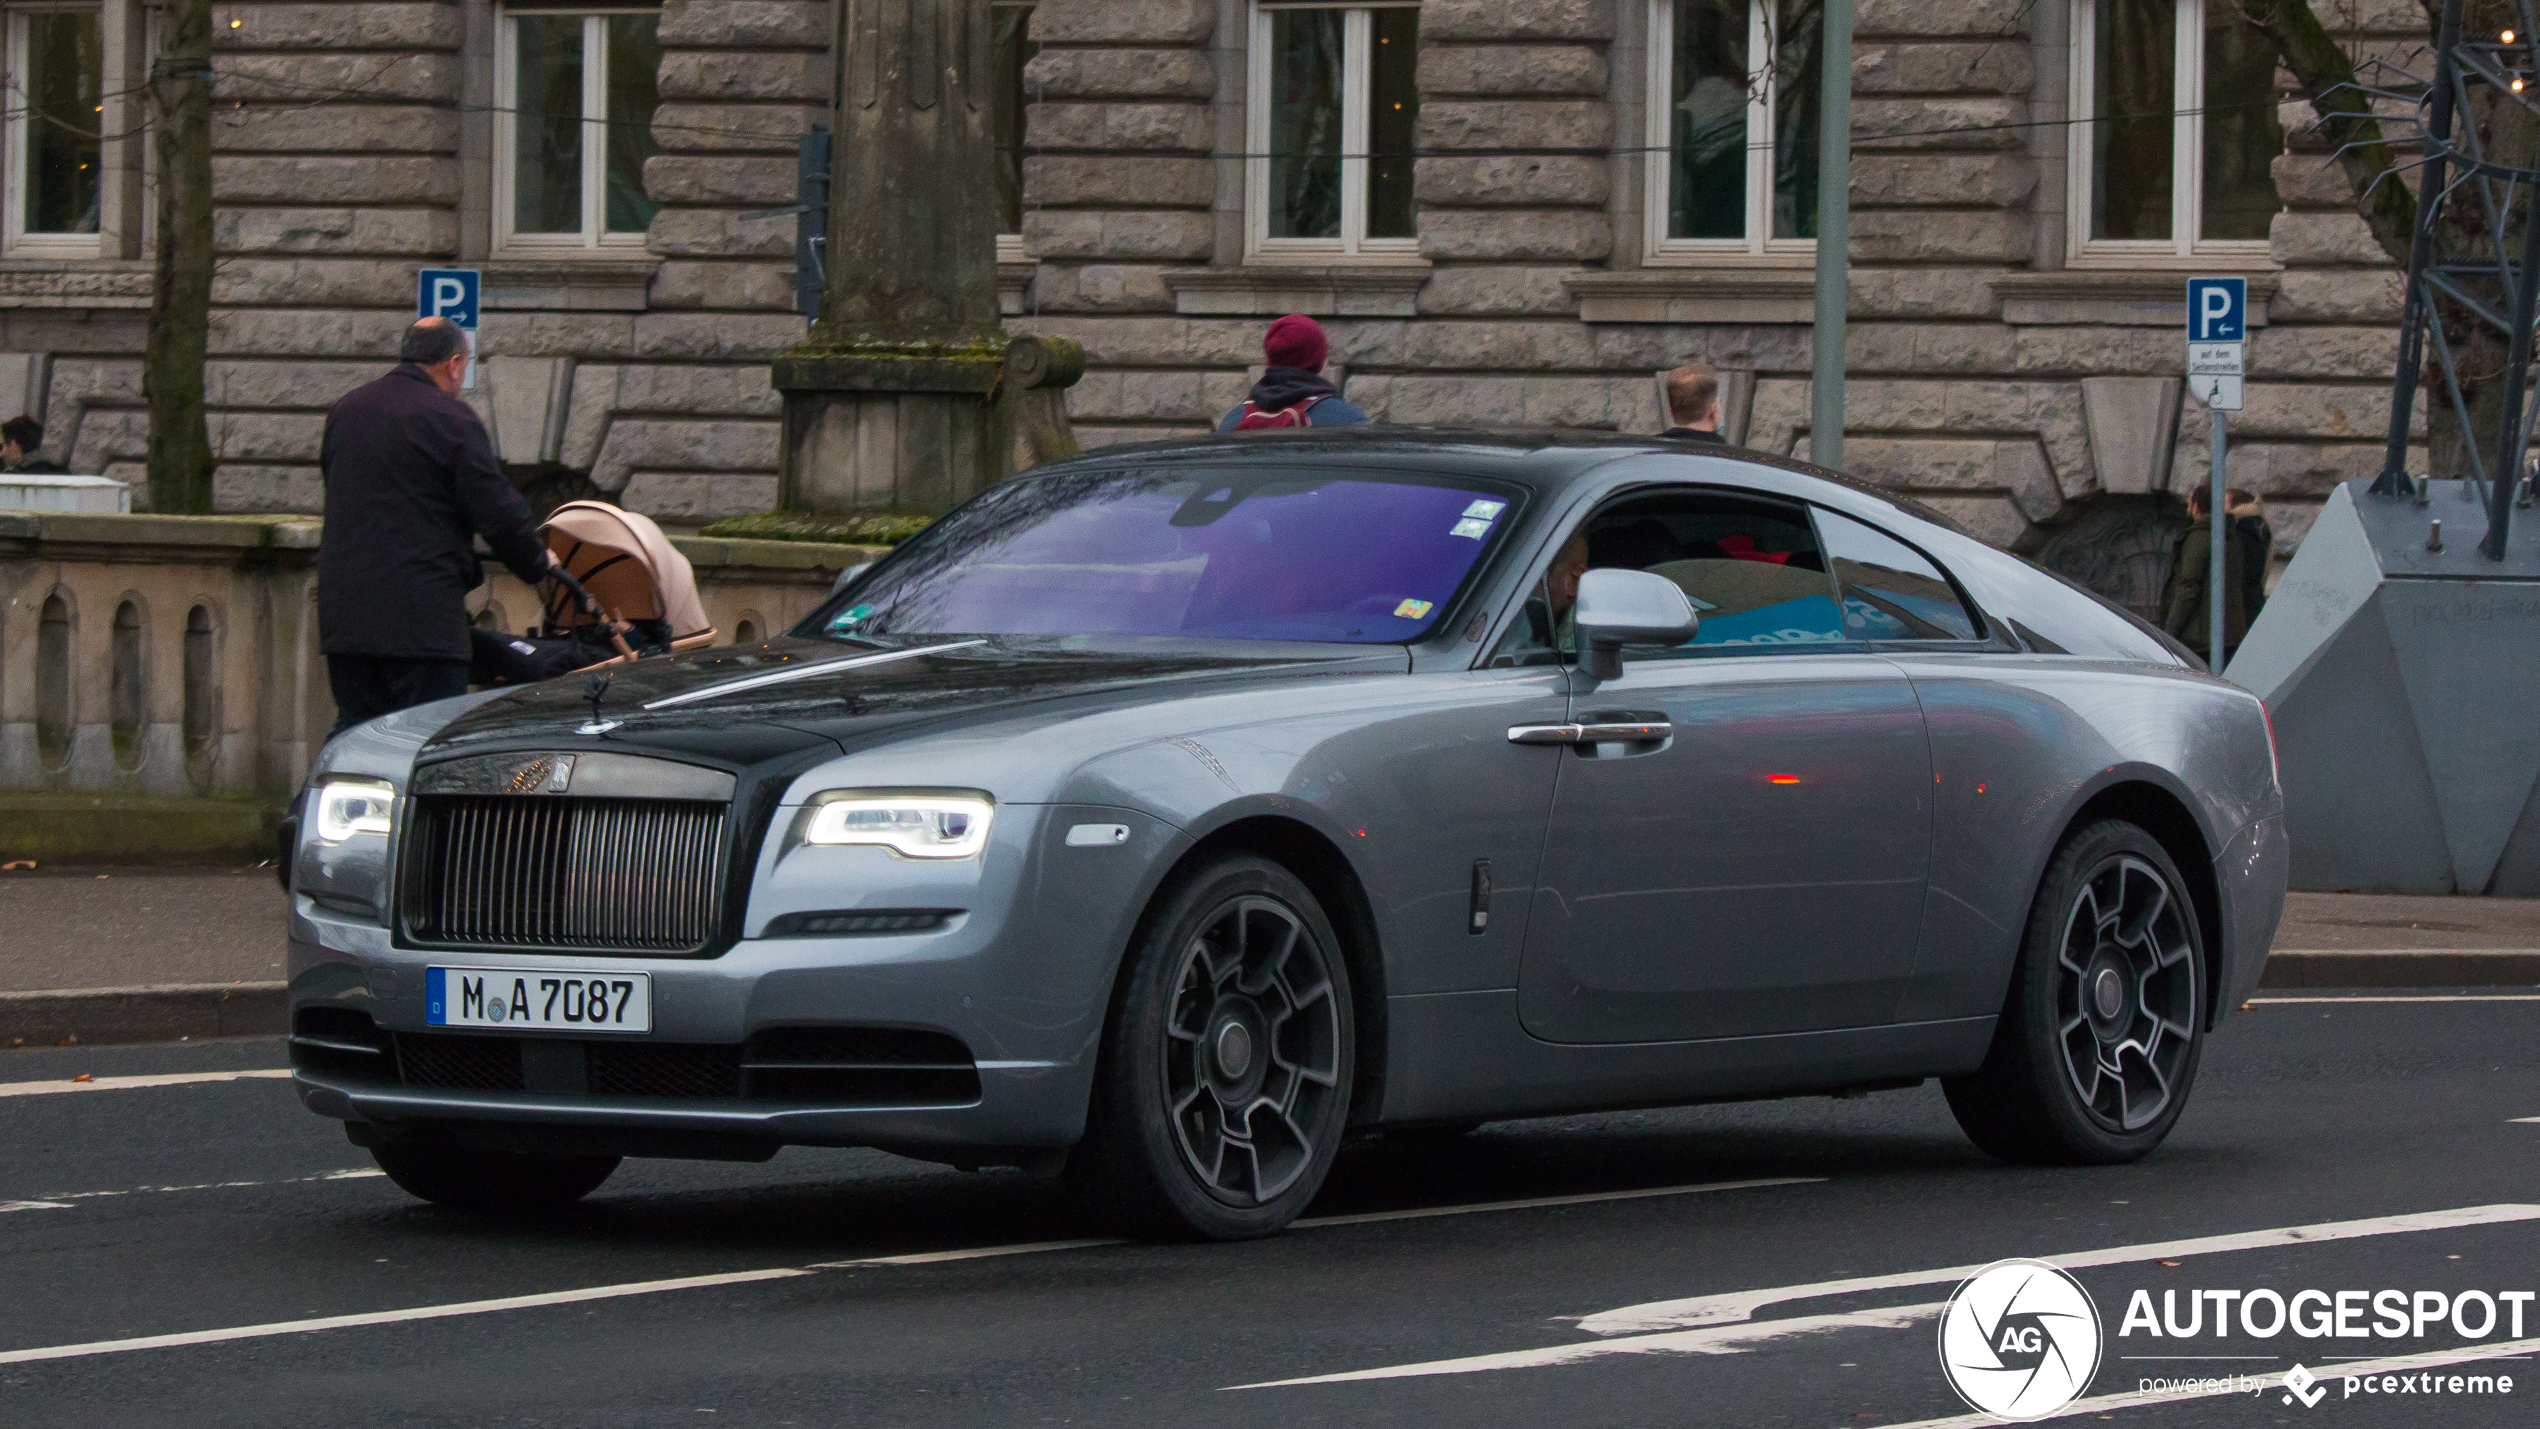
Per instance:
(55,103)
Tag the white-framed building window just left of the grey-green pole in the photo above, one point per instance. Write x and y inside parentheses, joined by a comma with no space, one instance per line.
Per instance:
(1734,128)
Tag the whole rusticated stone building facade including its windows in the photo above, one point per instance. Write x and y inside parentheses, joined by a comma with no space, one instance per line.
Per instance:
(1507,212)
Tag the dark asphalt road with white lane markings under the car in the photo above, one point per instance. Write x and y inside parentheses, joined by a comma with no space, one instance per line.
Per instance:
(204,1207)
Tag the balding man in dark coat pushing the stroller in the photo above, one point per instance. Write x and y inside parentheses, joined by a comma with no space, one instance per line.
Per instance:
(410,481)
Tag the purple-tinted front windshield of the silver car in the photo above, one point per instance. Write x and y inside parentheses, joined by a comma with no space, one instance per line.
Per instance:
(1231,555)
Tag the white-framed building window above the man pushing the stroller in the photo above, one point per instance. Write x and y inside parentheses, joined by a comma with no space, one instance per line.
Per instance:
(575,95)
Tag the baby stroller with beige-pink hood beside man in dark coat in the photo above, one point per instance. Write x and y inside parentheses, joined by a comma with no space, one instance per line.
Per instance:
(618,593)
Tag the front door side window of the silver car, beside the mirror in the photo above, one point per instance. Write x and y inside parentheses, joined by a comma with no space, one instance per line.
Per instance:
(1749,565)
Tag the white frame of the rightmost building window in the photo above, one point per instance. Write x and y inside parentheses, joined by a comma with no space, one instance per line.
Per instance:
(2186,159)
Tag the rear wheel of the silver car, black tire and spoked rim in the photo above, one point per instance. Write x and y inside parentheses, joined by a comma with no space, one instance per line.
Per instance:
(2104,1024)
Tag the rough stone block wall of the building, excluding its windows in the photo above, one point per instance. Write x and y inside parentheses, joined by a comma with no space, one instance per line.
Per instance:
(2026,395)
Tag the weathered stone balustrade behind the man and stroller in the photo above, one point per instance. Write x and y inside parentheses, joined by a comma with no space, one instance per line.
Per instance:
(161,687)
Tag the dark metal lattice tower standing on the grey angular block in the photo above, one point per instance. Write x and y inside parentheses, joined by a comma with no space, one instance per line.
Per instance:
(2485,275)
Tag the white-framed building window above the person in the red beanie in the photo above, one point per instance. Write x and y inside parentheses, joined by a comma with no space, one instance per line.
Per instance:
(1332,131)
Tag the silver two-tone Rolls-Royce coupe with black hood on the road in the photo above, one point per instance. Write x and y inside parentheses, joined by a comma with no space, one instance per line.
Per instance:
(1172,813)
